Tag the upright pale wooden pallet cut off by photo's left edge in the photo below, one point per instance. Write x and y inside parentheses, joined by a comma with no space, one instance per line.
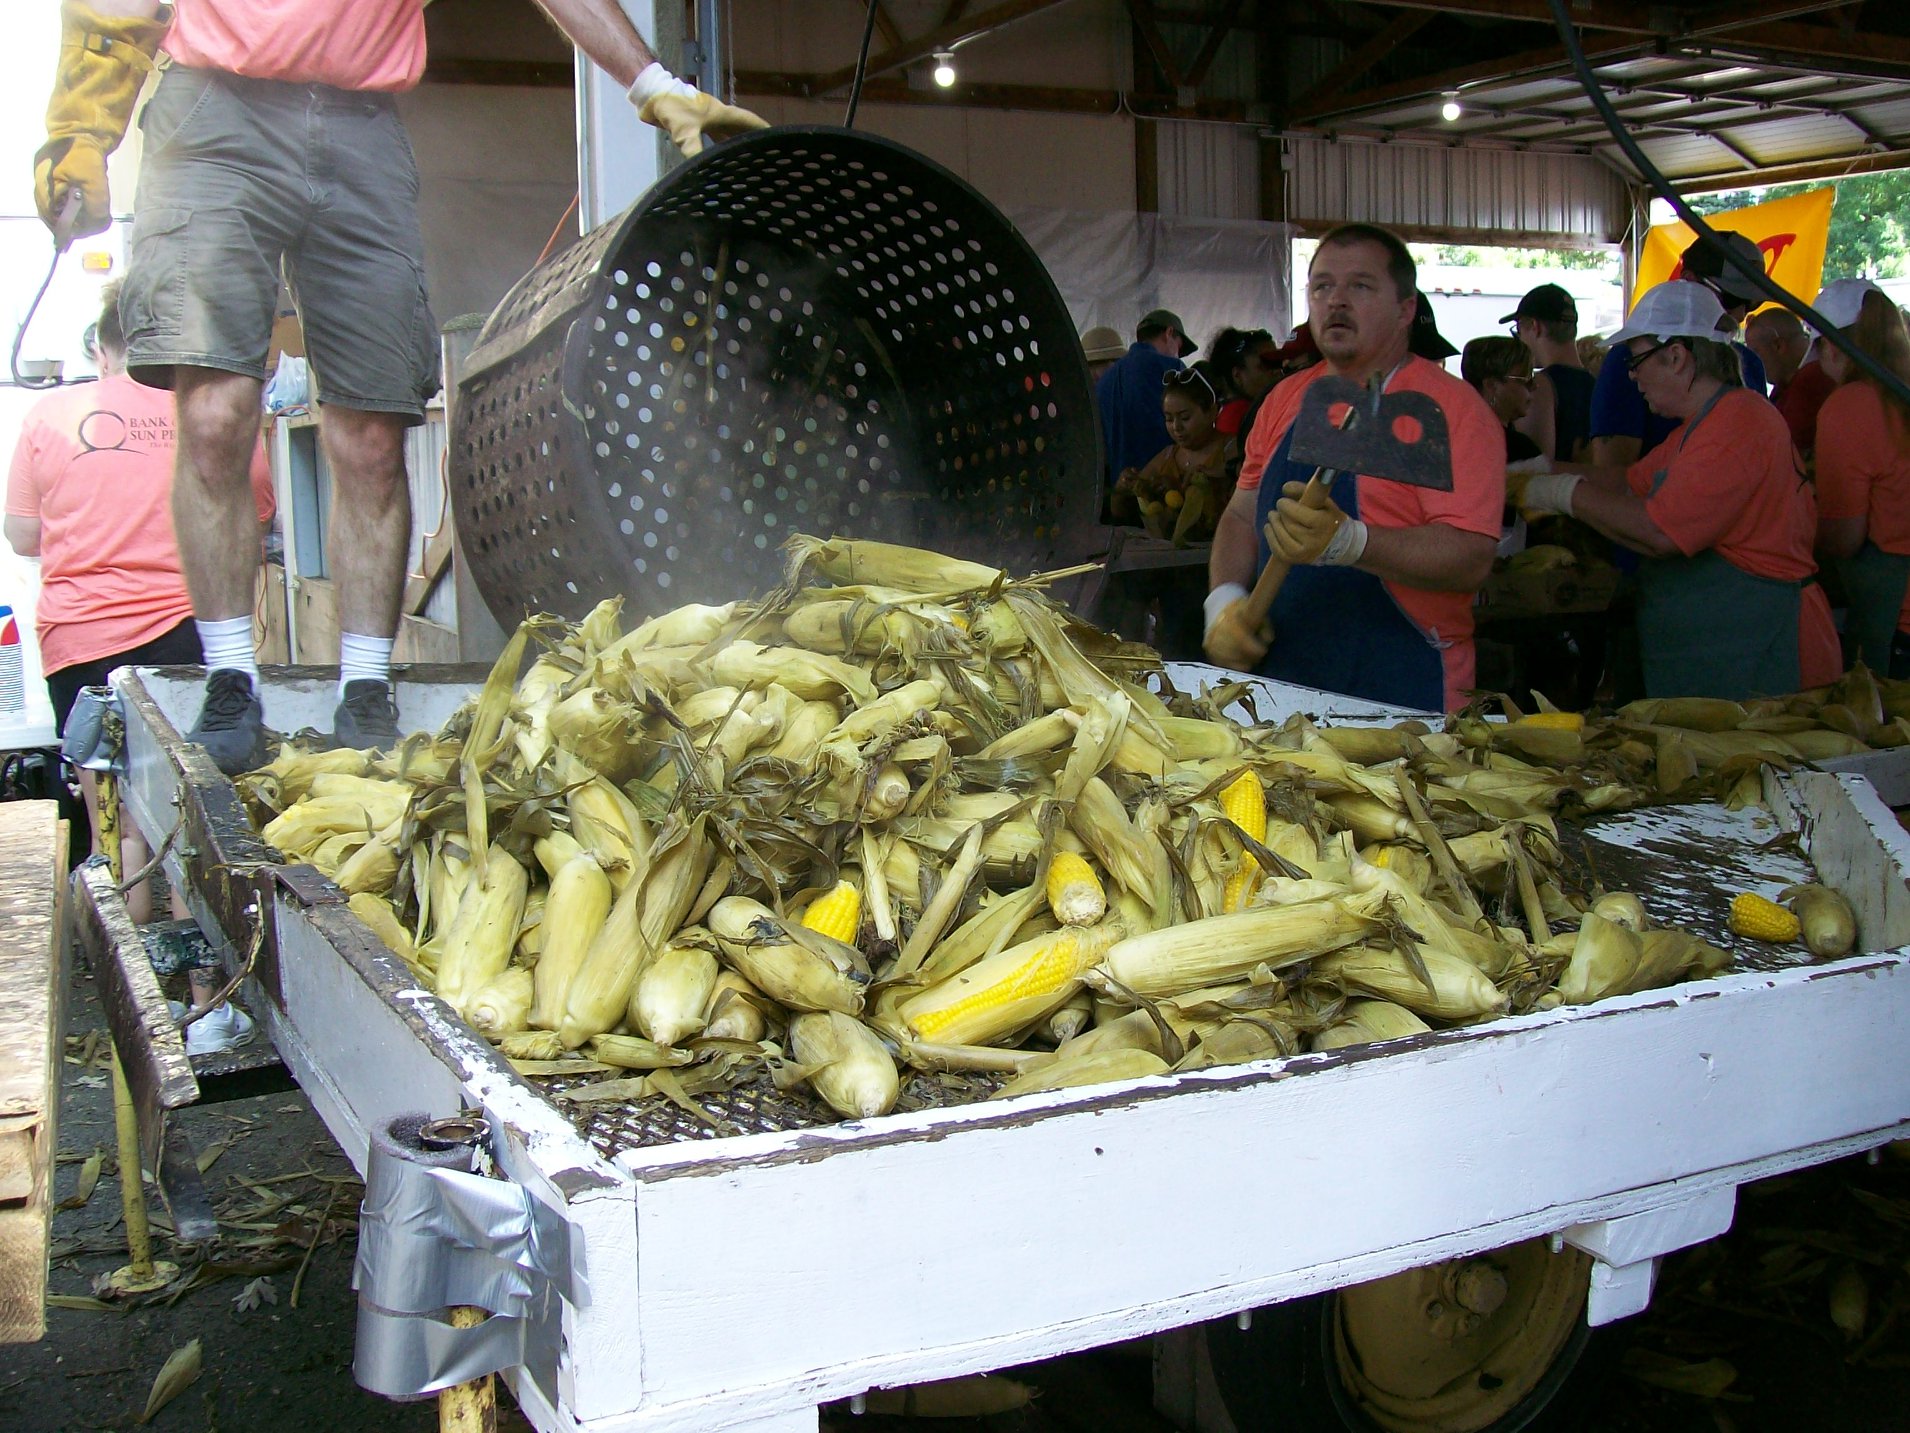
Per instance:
(33,845)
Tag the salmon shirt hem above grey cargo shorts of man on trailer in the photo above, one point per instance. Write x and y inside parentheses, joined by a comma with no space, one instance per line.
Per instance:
(354,45)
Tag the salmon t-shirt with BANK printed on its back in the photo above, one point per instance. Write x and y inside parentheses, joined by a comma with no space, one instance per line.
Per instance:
(95,467)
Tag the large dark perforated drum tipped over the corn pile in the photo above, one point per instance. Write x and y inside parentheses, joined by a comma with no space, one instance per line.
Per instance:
(803,330)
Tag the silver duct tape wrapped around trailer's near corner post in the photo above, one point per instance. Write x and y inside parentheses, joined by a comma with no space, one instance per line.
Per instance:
(433,1237)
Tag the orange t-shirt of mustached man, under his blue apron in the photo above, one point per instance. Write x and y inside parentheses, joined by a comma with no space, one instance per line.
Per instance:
(1474,505)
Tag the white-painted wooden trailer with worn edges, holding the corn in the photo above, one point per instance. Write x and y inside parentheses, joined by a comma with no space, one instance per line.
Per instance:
(740,1283)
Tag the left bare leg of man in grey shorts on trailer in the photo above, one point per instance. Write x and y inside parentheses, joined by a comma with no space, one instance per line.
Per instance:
(213,511)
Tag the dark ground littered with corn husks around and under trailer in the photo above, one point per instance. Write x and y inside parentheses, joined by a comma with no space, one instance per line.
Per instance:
(1741,1337)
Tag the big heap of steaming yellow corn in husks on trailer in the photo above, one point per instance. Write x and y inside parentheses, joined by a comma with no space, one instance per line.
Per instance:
(904,813)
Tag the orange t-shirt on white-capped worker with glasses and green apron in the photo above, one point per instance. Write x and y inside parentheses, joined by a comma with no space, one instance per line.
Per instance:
(1739,490)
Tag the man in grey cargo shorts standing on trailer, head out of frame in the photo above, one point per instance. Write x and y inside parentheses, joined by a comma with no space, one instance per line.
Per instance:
(274,144)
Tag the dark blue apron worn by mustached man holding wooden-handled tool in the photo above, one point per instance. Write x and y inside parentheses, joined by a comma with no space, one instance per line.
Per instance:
(1338,628)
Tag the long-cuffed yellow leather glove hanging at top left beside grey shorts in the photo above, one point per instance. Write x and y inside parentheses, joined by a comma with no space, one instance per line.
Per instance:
(104,60)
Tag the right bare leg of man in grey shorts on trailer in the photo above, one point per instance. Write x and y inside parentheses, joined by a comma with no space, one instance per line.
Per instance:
(371,517)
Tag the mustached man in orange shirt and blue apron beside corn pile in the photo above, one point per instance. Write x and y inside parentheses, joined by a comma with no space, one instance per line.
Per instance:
(1380,595)
